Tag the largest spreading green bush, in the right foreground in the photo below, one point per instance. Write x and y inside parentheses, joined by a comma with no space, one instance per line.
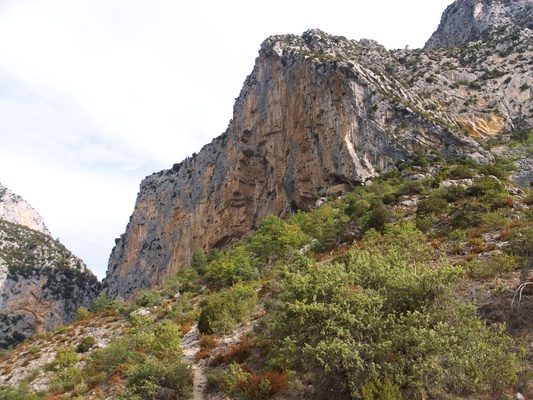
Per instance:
(381,321)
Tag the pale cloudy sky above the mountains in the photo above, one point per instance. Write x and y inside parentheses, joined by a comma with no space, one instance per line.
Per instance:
(97,94)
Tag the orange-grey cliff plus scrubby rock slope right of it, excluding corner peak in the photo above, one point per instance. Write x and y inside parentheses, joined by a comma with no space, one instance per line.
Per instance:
(319,114)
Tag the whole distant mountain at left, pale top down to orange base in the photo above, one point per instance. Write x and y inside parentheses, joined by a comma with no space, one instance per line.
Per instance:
(42,284)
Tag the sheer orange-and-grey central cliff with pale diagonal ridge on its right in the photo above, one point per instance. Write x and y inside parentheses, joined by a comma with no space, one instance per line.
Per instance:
(316,114)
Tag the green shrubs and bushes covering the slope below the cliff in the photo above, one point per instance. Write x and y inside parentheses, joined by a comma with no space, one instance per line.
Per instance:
(375,294)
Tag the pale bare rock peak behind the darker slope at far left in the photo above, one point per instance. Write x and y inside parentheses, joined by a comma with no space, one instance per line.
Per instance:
(15,209)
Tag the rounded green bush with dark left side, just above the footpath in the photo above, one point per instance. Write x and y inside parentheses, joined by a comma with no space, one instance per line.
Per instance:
(221,312)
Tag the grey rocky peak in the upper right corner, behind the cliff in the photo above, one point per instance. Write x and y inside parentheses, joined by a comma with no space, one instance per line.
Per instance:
(487,20)
